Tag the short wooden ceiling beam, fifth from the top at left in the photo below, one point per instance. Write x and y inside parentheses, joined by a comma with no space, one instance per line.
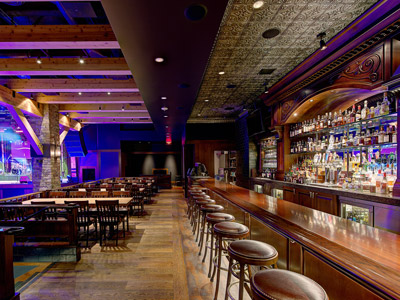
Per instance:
(64,108)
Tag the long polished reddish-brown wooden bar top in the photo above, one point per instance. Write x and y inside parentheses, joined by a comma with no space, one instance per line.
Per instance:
(366,252)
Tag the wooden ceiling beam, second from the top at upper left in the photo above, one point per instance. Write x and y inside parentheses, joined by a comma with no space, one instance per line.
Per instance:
(63,66)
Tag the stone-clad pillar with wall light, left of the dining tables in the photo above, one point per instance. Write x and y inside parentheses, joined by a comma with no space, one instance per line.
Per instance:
(46,169)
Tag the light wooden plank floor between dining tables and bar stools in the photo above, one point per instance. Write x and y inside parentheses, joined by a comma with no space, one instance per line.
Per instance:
(157,260)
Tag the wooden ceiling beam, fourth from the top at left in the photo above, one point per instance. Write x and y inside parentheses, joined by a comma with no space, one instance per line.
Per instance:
(91,98)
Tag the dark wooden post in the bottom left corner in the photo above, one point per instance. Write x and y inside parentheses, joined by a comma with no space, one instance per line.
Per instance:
(7,289)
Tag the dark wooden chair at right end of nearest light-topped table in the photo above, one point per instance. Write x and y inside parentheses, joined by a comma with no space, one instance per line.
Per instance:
(109,215)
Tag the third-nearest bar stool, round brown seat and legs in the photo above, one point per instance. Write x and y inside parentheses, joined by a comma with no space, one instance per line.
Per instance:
(226,231)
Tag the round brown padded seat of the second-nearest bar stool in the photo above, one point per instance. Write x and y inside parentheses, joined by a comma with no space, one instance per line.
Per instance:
(253,252)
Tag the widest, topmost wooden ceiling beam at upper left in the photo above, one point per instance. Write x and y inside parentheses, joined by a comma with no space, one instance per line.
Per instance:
(14,37)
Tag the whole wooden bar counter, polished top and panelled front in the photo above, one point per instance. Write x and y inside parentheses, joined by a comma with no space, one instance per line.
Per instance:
(350,260)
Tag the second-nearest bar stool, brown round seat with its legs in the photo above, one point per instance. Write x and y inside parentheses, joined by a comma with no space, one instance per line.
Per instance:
(250,253)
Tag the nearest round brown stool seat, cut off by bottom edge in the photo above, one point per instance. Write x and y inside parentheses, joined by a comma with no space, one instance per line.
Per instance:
(281,284)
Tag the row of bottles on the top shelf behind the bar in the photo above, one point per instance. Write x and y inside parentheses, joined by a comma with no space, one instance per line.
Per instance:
(340,118)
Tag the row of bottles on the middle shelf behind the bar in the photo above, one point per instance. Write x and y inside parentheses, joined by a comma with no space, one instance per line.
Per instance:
(385,135)
